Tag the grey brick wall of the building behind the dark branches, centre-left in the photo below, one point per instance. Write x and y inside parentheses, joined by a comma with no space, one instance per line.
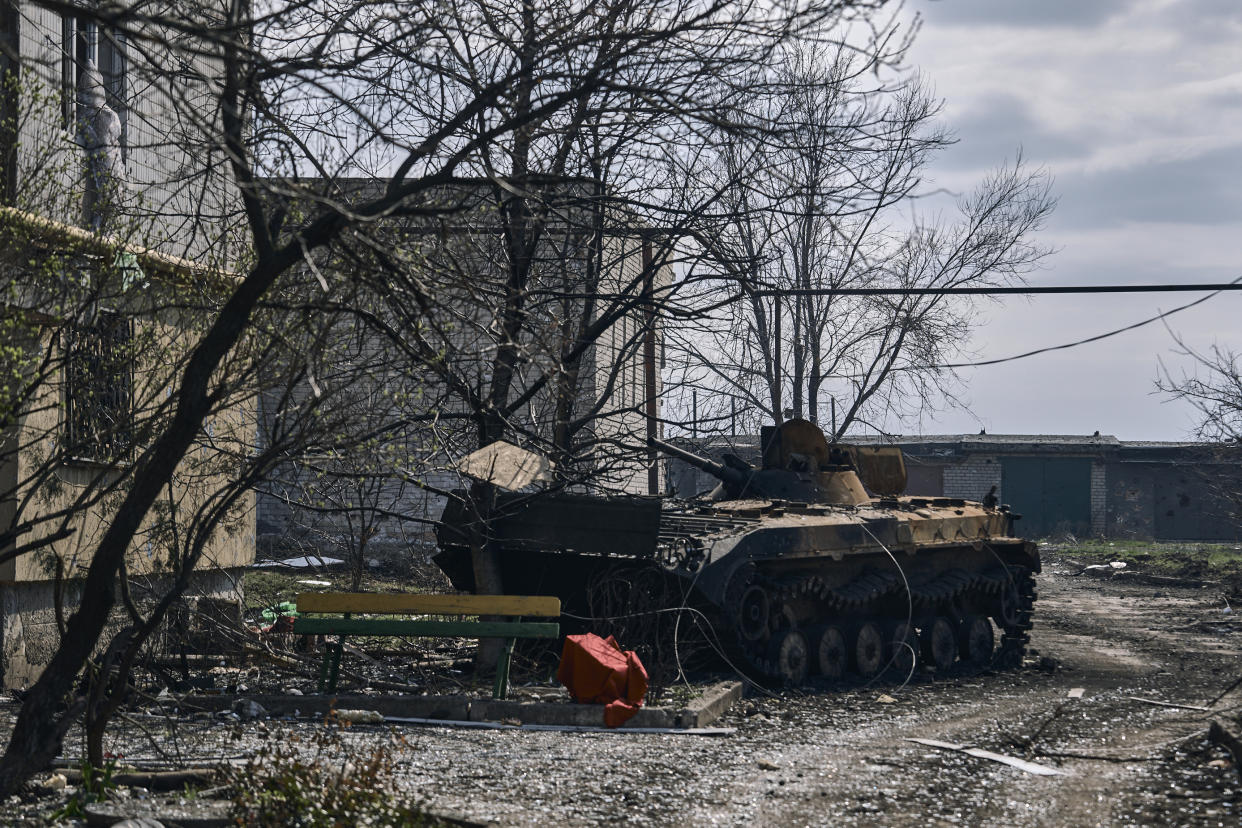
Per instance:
(301,511)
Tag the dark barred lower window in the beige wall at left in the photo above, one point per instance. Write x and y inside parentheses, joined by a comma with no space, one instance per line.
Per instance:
(99,389)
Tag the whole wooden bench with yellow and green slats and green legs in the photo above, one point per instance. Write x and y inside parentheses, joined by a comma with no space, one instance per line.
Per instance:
(337,614)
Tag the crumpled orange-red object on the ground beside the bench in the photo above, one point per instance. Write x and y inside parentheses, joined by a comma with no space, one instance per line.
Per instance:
(597,671)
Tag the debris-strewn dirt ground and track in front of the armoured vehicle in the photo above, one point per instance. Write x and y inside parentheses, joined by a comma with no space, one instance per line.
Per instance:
(843,759)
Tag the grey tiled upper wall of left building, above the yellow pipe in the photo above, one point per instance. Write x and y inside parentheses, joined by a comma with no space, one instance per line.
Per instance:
(178,198)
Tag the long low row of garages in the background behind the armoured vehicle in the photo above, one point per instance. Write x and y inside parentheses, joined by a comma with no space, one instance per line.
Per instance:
(1060,484)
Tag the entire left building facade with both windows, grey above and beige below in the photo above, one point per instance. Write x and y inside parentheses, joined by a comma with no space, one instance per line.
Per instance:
(115,250)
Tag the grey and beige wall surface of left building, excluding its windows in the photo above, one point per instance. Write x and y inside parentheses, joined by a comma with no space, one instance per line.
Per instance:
(177,200)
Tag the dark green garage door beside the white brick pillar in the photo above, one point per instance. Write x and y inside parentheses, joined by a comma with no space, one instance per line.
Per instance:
(1051,493)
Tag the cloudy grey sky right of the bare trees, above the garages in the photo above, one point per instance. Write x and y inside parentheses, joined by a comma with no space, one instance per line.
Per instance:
(1136,109)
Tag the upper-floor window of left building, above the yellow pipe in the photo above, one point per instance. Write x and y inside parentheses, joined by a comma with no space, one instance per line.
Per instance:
(84,42)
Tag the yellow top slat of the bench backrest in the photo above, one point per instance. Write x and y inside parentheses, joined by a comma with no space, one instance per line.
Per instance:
(450,605)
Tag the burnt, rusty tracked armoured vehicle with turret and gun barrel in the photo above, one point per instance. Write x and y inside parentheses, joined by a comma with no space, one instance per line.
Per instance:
(810,564)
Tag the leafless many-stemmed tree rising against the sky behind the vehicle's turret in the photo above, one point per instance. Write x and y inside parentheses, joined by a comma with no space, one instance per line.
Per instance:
(817,215)
